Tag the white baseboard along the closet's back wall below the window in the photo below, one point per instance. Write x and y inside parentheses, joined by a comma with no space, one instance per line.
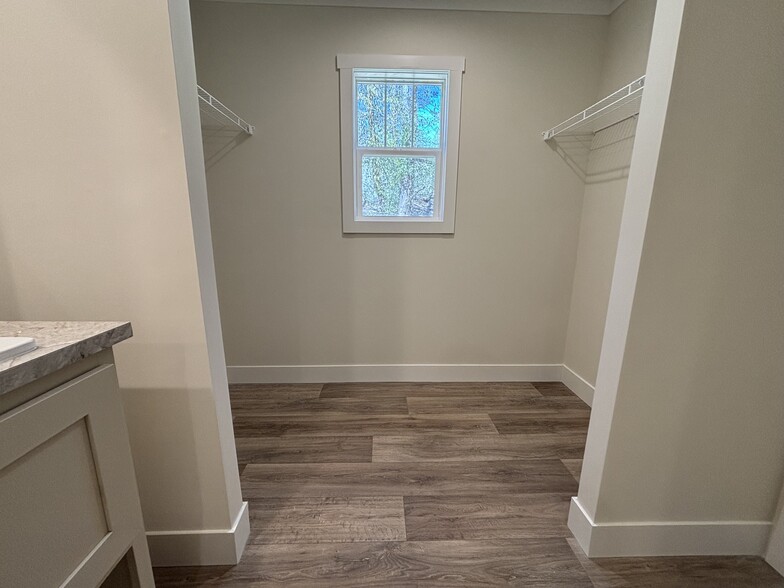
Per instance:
(319,374)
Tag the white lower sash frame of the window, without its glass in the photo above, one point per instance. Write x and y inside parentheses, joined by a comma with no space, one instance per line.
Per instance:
(438,188)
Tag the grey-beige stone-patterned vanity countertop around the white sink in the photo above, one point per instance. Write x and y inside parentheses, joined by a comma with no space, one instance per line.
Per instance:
(60,343)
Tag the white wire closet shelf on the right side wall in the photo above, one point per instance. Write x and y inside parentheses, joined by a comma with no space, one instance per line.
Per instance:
(616,107)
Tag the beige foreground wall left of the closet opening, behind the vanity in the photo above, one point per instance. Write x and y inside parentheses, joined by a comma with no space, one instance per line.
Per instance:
(95,224)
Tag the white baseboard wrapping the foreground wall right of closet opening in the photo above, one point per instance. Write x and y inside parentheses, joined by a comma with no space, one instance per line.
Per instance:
(666,538)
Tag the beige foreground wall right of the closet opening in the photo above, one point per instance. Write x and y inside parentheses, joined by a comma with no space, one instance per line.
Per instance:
(696,430)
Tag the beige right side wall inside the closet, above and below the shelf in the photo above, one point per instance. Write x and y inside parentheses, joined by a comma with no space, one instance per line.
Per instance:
(627,52)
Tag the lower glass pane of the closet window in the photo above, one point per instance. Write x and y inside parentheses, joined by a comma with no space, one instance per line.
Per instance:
(398,186)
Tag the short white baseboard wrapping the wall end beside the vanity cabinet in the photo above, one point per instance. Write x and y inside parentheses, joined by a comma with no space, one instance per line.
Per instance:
(201,547)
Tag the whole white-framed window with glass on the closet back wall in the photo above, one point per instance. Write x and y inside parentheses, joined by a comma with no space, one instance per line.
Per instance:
(400,119)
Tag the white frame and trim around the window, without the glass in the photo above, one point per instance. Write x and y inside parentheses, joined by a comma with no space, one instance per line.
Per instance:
(443,220)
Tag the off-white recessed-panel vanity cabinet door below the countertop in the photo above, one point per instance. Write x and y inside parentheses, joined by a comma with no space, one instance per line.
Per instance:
(69,505)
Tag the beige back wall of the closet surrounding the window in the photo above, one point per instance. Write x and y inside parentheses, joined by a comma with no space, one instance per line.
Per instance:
(294,290)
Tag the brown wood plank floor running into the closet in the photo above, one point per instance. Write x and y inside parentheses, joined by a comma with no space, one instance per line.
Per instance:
(458,484)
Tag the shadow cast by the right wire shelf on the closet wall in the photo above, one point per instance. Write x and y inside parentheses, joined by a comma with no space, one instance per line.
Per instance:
(600,157)
